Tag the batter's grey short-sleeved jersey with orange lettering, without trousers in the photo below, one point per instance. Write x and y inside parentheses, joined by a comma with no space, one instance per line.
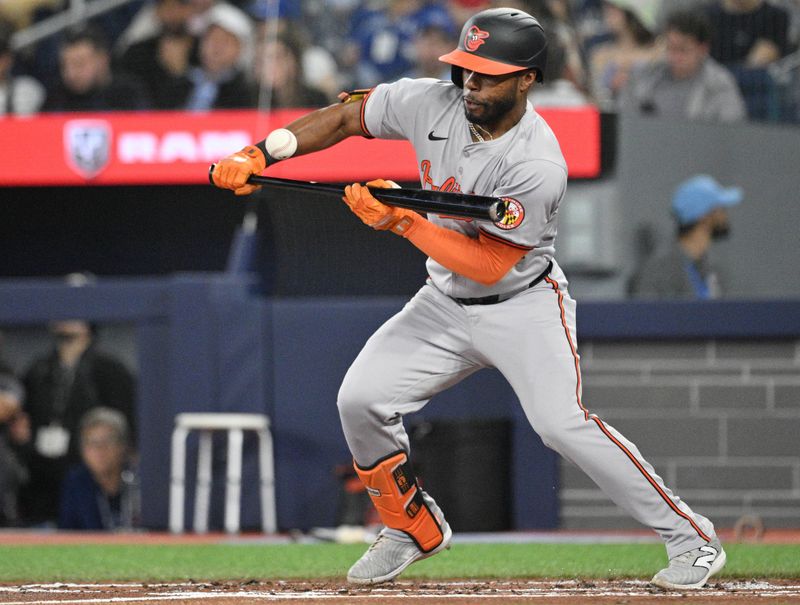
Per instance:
(525,164)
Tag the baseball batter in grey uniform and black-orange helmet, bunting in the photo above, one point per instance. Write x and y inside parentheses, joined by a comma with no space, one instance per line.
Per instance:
(495,297)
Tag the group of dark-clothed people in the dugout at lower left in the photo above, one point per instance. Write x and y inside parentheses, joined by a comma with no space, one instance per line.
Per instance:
(67,429)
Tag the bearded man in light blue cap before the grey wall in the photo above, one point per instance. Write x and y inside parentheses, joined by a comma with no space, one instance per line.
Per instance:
(699,206)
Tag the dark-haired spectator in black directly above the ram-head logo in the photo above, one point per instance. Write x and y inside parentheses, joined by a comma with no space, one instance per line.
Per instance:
(87,82)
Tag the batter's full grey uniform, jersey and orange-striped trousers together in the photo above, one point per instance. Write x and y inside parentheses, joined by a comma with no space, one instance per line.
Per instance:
(436,340)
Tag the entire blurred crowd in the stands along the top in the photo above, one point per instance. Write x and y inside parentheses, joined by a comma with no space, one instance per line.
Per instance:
(716,60)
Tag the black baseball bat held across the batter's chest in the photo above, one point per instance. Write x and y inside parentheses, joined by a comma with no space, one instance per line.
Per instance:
(422,200)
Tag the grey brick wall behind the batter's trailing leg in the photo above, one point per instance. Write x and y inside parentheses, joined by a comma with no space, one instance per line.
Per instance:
(719,420)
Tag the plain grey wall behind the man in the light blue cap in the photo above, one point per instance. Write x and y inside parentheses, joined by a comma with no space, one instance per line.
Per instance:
(601,220)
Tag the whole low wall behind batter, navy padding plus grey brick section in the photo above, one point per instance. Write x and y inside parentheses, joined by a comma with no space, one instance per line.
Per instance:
(710,392)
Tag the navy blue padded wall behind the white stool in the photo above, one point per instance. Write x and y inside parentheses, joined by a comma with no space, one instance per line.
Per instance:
(208,343)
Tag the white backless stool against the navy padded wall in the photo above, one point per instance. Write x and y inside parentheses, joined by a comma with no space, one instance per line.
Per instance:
(235,424)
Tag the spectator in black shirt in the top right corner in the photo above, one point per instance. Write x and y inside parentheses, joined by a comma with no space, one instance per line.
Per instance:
(748,33)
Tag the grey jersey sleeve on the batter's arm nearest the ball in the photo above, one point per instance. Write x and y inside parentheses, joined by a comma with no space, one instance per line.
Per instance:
(391,110)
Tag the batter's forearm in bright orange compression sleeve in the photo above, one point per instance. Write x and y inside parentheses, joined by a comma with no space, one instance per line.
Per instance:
(481,260)
